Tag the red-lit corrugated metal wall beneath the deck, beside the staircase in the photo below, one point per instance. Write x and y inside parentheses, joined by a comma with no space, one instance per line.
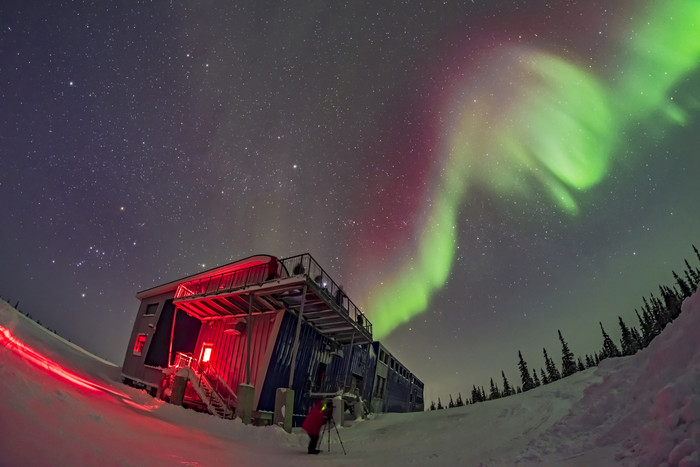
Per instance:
(230,349)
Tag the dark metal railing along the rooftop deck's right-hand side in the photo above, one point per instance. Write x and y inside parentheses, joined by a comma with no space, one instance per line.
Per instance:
(304,264)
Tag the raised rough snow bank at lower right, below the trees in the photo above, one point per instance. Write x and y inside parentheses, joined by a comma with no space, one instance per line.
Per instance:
(646,408)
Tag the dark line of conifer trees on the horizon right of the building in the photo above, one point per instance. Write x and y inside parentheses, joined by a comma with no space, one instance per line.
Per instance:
(656,312)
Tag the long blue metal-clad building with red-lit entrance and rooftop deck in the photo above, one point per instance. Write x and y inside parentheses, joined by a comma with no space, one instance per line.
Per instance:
(251,337)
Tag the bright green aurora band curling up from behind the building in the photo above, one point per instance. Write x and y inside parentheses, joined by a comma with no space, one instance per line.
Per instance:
(559,131)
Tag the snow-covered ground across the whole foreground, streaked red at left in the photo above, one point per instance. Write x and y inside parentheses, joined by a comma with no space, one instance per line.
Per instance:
(63,406)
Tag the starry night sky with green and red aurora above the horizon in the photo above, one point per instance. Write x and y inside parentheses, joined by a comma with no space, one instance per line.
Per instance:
(475,174)
